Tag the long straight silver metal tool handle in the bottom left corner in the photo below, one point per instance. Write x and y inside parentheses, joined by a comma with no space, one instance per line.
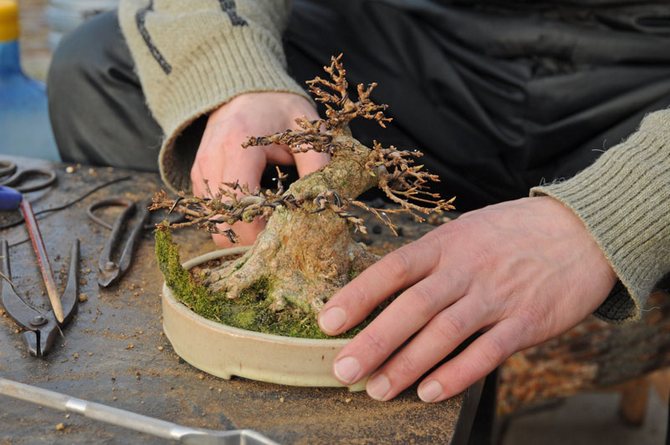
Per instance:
(96,411)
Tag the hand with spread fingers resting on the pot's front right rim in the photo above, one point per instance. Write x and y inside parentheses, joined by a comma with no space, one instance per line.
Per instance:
(521,271)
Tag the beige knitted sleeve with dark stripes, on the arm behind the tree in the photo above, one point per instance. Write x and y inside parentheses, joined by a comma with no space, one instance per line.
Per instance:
(194,56)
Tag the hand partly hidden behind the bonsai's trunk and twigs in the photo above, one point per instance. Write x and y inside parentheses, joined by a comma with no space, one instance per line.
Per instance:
(221,158)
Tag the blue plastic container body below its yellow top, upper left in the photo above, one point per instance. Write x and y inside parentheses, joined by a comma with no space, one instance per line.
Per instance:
(25,129)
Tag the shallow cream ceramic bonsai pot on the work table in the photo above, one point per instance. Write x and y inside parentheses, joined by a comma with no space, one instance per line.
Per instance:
(225,351)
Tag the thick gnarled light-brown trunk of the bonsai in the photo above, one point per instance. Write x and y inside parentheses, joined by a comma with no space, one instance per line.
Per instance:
(305,255)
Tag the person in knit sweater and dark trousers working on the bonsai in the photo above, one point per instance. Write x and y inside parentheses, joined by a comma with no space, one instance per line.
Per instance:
(502,96)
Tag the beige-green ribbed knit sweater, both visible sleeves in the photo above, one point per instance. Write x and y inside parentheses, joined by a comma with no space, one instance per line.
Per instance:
(194,56)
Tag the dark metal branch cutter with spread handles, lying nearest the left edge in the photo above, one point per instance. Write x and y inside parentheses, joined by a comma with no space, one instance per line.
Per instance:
(40,328)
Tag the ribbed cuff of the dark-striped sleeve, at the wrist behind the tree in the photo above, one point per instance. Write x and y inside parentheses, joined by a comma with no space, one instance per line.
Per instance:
(217,72)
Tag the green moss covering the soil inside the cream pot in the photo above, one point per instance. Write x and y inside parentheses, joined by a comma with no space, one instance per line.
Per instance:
(250,310)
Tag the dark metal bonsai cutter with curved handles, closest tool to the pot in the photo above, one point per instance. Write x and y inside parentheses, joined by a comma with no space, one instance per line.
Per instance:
(109,270)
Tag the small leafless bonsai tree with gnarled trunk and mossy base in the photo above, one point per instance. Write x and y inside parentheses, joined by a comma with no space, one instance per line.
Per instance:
(306,251)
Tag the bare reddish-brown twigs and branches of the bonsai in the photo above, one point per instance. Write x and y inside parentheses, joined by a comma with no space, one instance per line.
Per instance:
(403,182)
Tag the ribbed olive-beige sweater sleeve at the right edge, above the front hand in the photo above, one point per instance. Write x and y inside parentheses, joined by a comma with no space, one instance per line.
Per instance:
(624,201)
